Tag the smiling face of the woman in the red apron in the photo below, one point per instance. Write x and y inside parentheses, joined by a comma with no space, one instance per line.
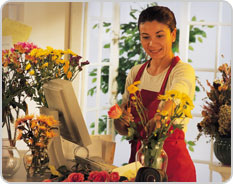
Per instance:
(156,39)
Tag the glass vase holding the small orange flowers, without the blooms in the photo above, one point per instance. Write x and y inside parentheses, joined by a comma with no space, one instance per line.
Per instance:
(36,162)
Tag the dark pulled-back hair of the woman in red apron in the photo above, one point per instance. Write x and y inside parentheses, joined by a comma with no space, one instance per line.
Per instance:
(159,13)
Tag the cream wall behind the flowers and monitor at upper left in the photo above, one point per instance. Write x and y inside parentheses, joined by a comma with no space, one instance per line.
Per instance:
(55,24)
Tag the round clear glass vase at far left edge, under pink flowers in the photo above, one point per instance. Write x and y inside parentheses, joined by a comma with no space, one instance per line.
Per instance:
(10,161)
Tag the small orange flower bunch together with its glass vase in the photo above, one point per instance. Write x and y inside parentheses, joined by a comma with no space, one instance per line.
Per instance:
(36,132)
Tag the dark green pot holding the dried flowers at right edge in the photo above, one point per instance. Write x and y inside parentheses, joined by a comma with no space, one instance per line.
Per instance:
(222,150)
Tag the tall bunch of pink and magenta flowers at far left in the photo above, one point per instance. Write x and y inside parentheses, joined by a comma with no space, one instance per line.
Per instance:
(15,83)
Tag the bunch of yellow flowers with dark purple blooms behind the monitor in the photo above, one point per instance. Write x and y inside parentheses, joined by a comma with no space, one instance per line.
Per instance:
(47,64)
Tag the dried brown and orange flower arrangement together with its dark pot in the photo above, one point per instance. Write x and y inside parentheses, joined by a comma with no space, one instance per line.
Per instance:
(216,113)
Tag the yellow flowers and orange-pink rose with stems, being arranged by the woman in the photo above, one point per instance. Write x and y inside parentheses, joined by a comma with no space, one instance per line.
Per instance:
(164,127)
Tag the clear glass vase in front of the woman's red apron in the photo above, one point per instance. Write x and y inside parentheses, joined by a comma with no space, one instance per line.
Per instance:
(153,156)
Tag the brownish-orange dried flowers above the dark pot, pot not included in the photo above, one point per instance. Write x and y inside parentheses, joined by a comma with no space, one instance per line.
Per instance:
(216,111)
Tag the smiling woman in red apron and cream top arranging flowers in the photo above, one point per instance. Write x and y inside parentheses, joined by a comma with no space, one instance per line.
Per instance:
(163,72)
